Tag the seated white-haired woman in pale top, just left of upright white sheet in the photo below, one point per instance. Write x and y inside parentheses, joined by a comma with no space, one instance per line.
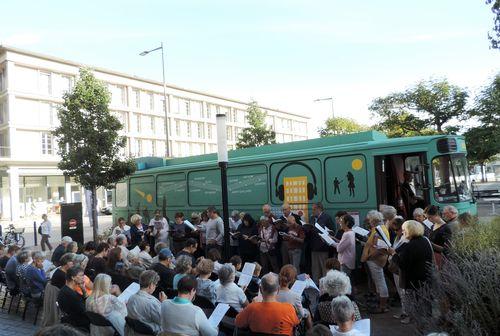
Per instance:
(229,292)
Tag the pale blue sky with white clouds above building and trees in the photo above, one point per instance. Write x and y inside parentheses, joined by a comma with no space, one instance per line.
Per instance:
(282,53)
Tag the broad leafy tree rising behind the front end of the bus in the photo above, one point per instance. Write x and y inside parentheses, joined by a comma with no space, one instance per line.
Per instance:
(423,109)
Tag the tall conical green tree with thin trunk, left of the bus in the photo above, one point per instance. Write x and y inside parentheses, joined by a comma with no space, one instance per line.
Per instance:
(88,139)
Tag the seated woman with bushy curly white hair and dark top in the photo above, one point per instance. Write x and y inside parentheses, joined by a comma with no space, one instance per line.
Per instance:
(335,284)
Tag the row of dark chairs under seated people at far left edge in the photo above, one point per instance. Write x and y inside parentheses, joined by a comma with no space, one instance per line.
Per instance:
(17,295)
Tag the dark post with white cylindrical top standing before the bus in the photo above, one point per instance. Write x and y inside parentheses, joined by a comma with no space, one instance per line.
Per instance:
(222,159)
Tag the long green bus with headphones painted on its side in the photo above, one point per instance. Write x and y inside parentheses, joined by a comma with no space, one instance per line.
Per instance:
(354,172)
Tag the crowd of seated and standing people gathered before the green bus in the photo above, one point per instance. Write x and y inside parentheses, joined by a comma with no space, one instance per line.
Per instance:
(182,276)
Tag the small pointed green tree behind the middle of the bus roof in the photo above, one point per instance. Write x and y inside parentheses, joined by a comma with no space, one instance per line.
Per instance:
(258,134)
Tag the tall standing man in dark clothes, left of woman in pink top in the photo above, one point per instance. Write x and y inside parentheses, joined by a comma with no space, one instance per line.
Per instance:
(319,249)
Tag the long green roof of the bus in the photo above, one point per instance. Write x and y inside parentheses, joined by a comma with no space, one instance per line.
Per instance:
(340,142)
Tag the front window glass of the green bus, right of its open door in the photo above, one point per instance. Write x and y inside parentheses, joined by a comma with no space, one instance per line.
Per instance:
(451,178)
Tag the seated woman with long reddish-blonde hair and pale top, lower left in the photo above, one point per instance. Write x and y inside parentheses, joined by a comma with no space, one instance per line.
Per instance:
(104,301)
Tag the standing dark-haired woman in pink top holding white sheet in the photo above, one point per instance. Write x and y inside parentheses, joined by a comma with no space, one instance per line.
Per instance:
(346,247)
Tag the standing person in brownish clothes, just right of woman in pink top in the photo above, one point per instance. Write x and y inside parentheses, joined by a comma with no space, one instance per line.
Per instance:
(376,258)
